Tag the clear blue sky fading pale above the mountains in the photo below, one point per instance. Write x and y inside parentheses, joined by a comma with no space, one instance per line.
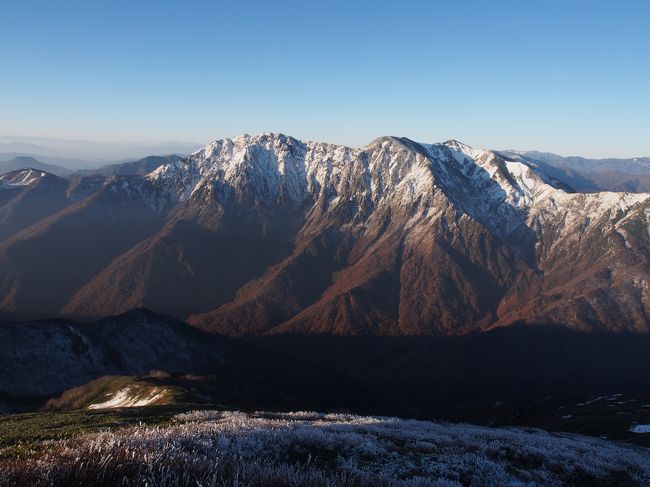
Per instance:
(571,77)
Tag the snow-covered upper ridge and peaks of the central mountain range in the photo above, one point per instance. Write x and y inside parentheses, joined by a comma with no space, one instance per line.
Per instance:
(503,193)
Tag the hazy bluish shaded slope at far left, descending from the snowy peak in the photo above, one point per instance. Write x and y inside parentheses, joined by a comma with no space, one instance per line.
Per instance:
(44,264)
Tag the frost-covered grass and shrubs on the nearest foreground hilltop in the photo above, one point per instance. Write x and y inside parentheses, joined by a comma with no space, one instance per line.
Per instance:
(233,448)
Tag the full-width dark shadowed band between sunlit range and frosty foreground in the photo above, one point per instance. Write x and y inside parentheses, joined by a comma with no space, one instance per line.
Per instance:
(525,375)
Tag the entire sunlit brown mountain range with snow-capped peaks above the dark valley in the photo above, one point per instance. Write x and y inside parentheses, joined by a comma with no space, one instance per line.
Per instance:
(268,234)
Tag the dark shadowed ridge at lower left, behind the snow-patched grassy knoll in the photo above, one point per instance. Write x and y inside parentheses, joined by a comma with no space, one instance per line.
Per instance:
(41,359)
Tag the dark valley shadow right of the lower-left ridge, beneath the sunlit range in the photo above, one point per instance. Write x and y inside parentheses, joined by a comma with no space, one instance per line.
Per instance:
(429,376)
